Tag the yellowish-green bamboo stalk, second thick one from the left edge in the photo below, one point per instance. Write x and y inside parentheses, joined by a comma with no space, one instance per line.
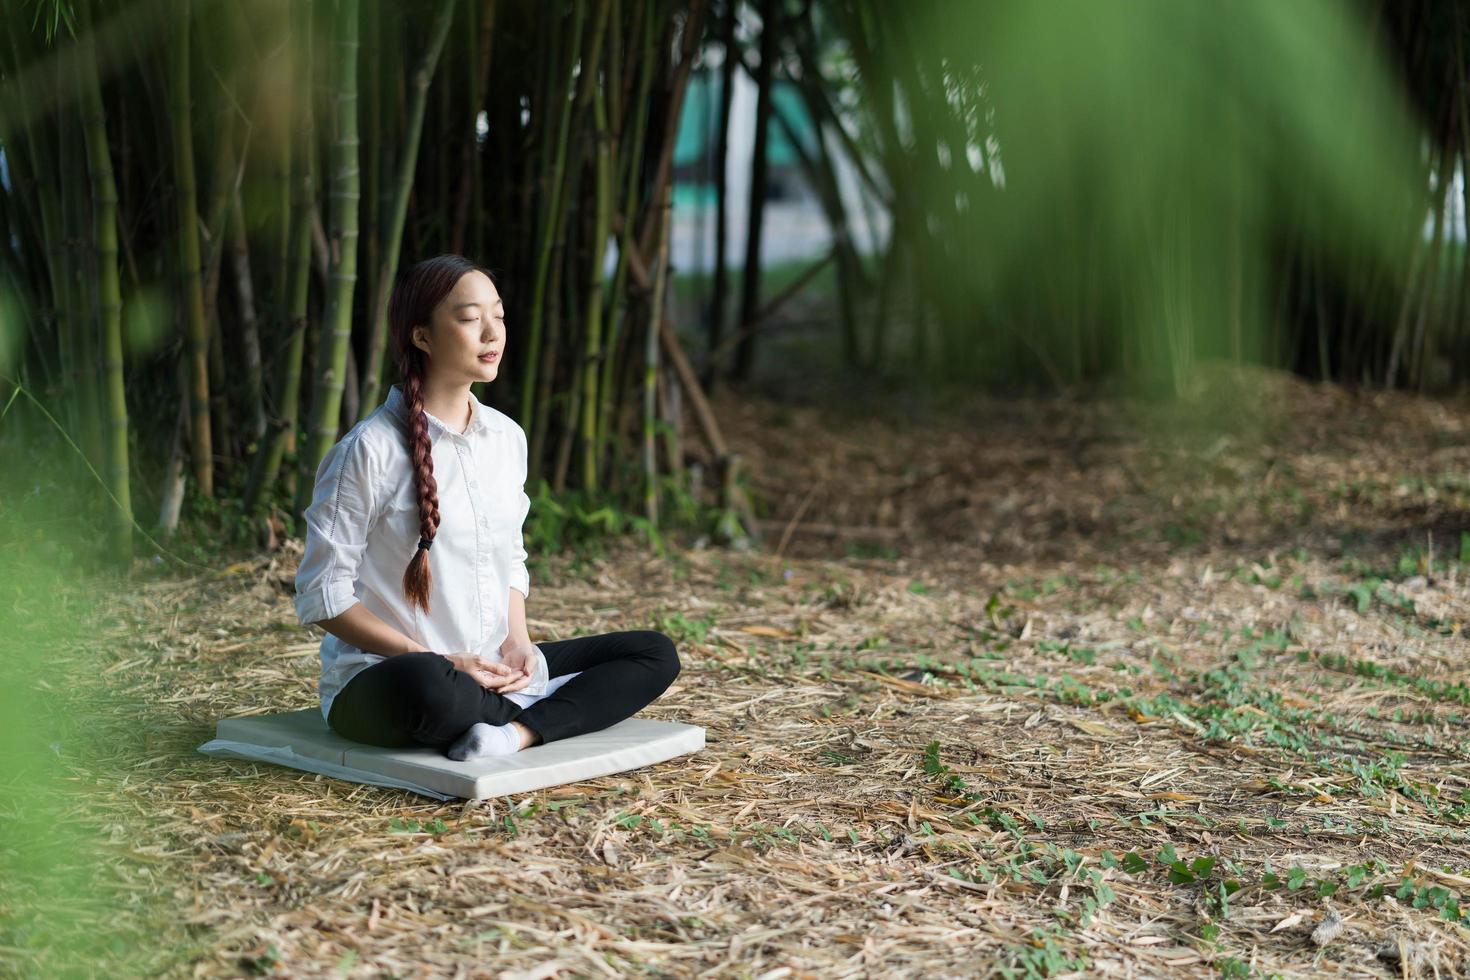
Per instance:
(193,296)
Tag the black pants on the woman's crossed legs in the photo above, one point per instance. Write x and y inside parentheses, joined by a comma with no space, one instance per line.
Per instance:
(424,700)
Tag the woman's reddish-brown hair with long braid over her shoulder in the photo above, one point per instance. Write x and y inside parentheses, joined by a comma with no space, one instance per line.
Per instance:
(414,300)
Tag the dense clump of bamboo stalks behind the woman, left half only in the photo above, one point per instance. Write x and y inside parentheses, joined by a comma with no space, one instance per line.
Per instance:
(221,256)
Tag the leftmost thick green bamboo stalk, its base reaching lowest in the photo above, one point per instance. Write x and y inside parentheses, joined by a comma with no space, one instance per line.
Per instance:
(110,300)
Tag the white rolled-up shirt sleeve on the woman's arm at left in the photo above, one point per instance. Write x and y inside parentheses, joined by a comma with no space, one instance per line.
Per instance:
(336,534)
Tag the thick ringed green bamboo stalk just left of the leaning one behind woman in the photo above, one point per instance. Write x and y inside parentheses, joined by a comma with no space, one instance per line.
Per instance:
(337,323)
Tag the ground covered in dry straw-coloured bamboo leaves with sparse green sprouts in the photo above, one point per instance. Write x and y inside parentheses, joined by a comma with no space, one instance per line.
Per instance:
(1034,688)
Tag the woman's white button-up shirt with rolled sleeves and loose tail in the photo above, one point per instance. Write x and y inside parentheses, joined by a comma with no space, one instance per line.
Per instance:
(364,528)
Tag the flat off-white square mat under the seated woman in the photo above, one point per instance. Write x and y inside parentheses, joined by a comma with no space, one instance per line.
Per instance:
(302,740)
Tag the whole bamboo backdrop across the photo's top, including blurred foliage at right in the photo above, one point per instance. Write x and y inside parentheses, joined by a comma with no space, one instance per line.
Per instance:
(205,203)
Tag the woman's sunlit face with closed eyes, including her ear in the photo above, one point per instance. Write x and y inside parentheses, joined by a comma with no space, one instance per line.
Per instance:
(467,339)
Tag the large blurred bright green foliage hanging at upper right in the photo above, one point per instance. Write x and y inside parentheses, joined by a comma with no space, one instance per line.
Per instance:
(1122,190)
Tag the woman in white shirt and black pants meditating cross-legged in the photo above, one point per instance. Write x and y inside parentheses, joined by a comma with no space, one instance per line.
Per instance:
(417,568)
